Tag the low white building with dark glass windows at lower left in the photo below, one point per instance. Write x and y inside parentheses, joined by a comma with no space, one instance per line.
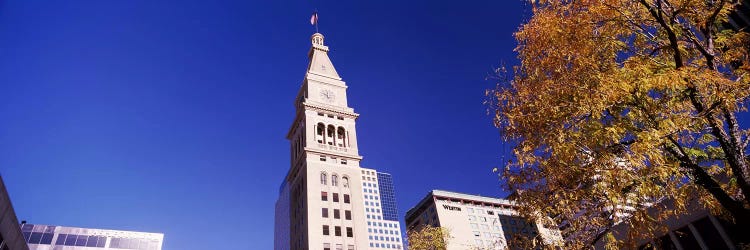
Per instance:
(44,237)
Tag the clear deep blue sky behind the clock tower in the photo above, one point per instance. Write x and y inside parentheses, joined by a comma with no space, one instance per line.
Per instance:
(171,116)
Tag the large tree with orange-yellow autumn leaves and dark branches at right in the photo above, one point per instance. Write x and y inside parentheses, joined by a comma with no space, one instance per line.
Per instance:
(618,105)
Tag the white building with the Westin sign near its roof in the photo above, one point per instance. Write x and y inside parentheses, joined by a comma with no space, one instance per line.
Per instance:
(476,222)
